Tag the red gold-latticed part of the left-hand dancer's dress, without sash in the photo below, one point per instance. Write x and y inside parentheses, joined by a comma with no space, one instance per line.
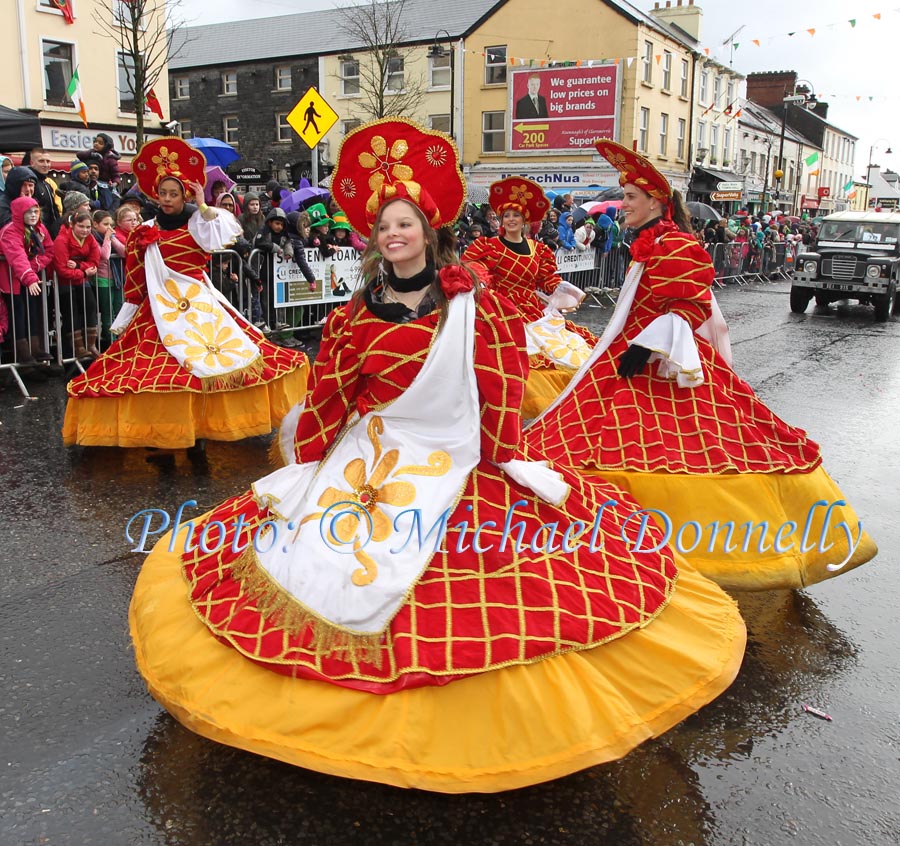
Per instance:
(138,361)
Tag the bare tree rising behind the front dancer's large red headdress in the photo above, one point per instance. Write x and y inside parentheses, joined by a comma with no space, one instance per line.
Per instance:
(385,85)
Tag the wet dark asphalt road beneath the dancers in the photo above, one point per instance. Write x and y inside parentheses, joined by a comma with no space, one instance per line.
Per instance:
(89,758)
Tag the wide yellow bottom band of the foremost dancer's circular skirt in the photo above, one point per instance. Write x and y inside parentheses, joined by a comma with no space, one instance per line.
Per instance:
(500,730)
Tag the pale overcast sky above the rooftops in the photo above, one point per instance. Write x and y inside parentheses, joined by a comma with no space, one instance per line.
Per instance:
(842,62)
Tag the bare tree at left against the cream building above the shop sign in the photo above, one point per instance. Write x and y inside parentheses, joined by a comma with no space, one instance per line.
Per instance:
(143,30)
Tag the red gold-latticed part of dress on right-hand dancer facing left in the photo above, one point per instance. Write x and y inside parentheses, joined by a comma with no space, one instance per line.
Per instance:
(647,423)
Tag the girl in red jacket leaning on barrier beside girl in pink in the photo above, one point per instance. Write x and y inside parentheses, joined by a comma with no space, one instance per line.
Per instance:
(76,256)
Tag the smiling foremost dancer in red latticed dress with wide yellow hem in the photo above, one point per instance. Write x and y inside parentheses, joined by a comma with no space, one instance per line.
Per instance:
(304,619)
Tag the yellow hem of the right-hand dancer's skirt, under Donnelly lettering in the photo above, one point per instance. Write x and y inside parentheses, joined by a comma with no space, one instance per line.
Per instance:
(772,499)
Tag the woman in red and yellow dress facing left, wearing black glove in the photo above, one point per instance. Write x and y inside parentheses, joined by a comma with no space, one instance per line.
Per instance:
(742,494)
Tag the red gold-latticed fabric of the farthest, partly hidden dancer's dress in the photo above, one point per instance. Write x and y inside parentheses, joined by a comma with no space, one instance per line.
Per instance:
(517,277)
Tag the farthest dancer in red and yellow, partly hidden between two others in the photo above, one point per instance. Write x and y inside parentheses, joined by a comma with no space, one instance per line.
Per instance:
(520,268)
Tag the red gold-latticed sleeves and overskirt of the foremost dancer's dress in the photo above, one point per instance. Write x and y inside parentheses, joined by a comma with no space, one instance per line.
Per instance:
(470,611)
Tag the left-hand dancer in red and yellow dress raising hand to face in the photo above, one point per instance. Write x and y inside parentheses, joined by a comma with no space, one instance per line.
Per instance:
(186,366)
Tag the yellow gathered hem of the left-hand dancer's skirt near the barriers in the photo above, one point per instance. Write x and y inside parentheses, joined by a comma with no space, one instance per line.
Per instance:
(177,419)
